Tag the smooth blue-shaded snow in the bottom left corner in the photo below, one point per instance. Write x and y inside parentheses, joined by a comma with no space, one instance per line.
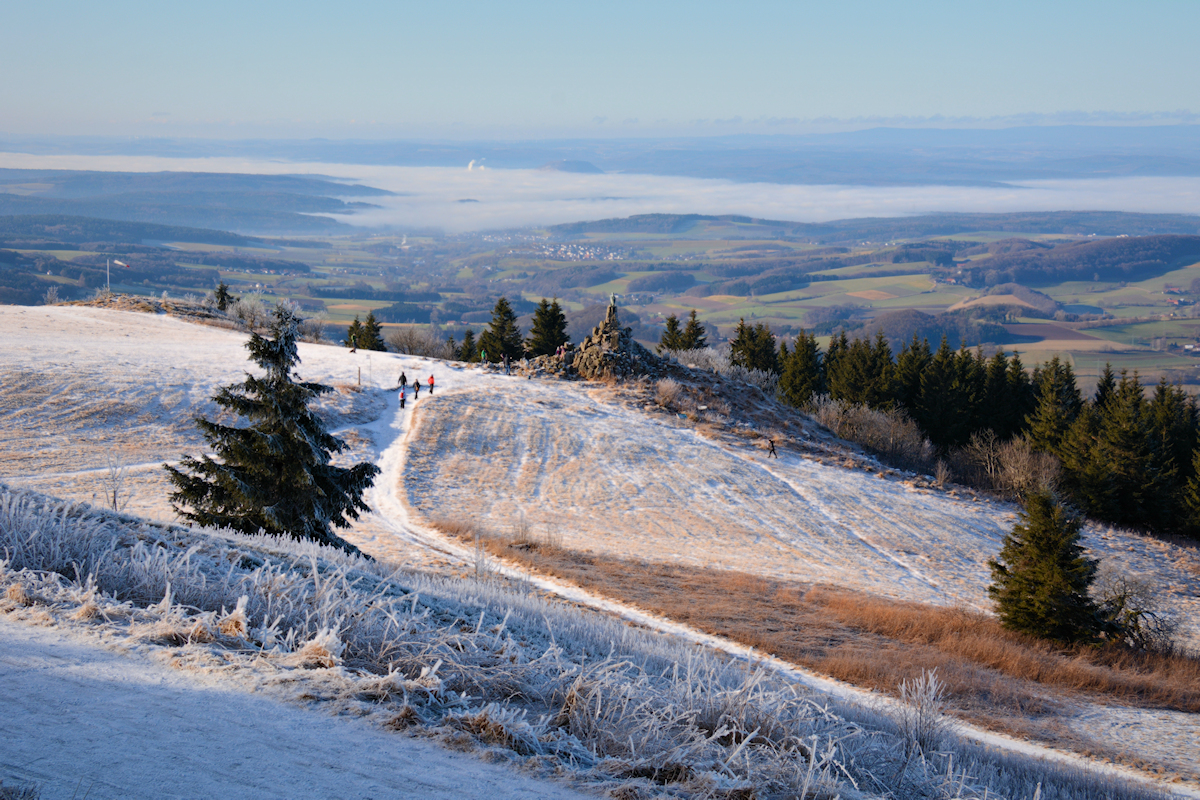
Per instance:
(85,719)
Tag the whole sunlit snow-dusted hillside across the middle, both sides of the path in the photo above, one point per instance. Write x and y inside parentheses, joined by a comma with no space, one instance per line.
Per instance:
(82,387)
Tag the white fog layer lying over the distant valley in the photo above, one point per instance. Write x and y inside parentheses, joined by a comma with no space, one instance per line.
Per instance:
(507,199)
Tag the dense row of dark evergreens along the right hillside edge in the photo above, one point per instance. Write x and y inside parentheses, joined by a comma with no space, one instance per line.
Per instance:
(1126,459)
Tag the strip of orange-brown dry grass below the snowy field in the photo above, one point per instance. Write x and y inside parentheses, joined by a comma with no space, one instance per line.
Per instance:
(992,675)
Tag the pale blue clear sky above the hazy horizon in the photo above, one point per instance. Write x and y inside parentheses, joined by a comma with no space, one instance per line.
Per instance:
(517,70)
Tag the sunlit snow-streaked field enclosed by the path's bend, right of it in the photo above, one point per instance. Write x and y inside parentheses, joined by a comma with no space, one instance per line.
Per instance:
(623,483)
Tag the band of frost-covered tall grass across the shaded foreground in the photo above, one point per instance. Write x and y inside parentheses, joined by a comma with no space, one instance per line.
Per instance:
(487,663)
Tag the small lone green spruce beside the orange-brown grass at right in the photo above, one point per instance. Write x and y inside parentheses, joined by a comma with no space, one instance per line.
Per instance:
(1042,578)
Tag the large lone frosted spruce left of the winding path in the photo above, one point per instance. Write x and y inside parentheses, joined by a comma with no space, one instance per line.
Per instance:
(275,474)
